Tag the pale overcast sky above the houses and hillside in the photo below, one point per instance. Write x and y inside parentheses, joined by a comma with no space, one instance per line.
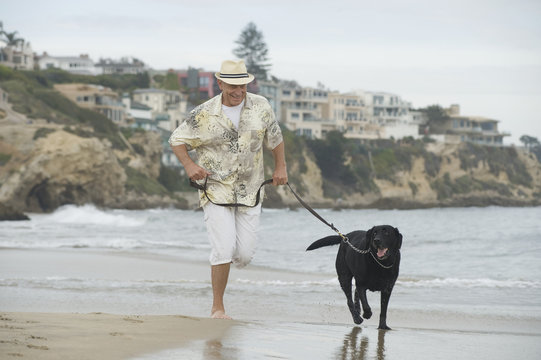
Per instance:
(482,54)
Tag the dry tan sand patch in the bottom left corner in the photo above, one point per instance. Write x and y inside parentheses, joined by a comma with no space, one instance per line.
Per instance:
(98,335)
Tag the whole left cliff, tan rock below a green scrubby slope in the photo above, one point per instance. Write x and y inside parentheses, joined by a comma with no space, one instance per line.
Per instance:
(54,153)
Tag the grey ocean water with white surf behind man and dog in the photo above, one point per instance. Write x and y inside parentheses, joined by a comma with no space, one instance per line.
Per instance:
(460,260)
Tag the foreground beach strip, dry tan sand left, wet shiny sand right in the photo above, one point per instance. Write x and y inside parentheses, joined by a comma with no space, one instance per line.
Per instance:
(47,336)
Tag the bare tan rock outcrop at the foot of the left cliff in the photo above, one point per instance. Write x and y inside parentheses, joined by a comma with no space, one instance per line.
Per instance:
(59,167)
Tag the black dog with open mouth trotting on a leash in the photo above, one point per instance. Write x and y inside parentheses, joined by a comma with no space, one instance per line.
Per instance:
(373,259)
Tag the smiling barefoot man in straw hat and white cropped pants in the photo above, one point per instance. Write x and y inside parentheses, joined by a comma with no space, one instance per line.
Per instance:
(227,133)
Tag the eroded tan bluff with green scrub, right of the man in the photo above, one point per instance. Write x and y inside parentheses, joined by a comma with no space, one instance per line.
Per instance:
(343,173)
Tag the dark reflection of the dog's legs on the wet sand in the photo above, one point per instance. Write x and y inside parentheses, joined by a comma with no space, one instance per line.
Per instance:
(355,349)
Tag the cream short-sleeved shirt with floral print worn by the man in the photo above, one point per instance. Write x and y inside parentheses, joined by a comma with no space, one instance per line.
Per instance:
(233,156)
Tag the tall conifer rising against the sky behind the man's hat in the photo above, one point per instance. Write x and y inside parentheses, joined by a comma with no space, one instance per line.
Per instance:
(253,50)
